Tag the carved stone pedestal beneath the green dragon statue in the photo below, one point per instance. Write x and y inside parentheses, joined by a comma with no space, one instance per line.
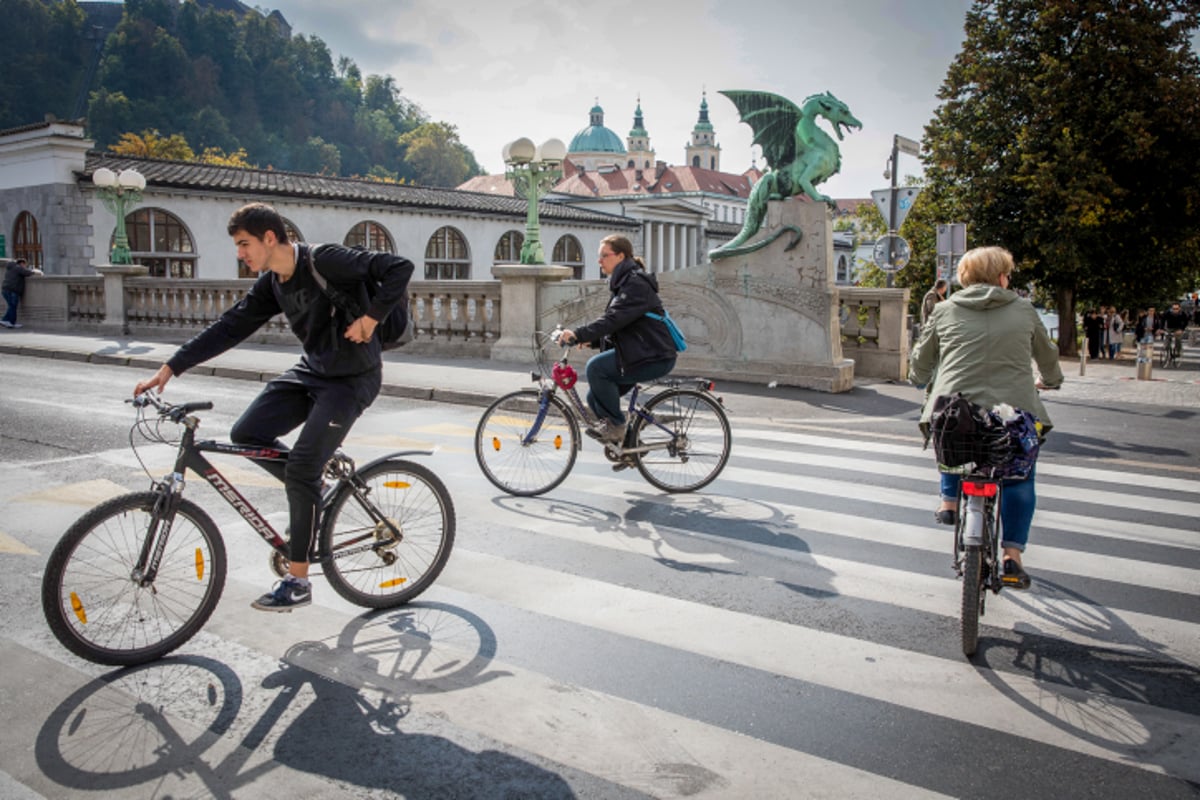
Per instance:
(771,315)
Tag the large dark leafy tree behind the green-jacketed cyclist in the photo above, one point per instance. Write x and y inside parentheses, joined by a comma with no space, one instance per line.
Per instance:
(1069,133)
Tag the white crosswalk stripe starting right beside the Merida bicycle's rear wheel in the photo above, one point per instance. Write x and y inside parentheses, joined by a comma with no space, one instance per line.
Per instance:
(933,685)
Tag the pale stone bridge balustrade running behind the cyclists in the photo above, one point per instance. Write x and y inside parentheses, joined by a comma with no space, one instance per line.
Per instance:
(453,318)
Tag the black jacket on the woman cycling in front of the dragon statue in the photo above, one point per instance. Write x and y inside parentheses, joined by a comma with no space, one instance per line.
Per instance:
(638,339)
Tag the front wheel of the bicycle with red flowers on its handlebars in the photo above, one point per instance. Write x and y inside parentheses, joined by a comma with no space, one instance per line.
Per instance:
(527,442)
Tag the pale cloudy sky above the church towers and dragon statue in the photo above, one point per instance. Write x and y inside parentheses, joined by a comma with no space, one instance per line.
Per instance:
(505,69)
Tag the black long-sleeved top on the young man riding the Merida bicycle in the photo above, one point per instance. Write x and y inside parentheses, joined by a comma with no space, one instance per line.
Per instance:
(316,322)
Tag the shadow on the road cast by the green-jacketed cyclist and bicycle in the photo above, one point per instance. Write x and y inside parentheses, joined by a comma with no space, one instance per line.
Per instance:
(1127,696)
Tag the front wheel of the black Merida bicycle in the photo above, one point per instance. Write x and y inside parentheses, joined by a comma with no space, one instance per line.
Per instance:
(97,600)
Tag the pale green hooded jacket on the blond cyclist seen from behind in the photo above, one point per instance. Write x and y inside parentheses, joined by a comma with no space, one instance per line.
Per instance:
(982,341)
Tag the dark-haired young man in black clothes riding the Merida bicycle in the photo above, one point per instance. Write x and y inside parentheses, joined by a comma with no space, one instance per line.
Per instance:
(339,375)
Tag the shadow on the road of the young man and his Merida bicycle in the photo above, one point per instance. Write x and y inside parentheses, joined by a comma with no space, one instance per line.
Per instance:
(337,709)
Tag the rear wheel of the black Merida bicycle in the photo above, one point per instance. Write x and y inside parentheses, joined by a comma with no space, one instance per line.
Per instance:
(363,560)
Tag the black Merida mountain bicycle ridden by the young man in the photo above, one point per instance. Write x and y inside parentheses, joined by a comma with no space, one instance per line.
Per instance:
(139,576)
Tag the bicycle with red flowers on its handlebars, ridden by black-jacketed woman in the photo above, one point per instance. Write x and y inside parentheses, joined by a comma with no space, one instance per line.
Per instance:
(527,441)
